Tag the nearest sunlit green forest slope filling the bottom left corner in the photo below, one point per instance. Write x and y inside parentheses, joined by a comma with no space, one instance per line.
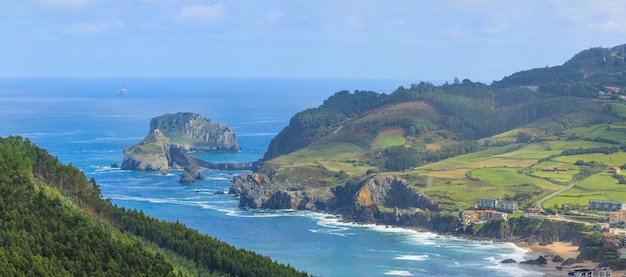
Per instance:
(42,234)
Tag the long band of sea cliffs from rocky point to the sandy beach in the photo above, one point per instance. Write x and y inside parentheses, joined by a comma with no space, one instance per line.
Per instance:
(390,200)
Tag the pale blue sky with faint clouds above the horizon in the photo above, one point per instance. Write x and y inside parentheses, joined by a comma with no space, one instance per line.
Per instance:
(418,40)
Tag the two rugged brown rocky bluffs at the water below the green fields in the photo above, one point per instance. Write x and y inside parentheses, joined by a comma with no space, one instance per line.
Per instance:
(380,199)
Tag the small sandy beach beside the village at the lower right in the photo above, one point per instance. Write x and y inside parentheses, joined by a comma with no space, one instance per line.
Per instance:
(564,249)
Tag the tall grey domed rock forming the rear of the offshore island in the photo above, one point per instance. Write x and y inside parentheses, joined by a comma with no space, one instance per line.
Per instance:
(194,132)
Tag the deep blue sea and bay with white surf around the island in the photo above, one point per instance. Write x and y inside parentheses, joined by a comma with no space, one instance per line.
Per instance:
(86,123)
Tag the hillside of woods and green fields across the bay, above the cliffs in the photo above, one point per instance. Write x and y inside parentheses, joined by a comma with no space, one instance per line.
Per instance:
(461,141)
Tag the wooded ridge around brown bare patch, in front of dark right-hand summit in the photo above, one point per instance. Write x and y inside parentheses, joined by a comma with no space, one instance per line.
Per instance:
(468,111)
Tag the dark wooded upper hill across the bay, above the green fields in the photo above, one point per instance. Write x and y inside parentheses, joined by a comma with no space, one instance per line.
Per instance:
(463,110)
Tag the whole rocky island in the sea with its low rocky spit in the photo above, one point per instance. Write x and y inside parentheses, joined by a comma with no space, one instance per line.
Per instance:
(170,139)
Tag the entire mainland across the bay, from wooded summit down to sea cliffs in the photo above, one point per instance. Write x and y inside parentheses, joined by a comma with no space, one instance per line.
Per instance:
(545,138)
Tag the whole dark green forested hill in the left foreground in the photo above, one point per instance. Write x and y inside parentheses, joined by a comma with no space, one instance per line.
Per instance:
(53,222)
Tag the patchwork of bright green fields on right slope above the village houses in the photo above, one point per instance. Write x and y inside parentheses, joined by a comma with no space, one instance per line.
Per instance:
(502,171)
